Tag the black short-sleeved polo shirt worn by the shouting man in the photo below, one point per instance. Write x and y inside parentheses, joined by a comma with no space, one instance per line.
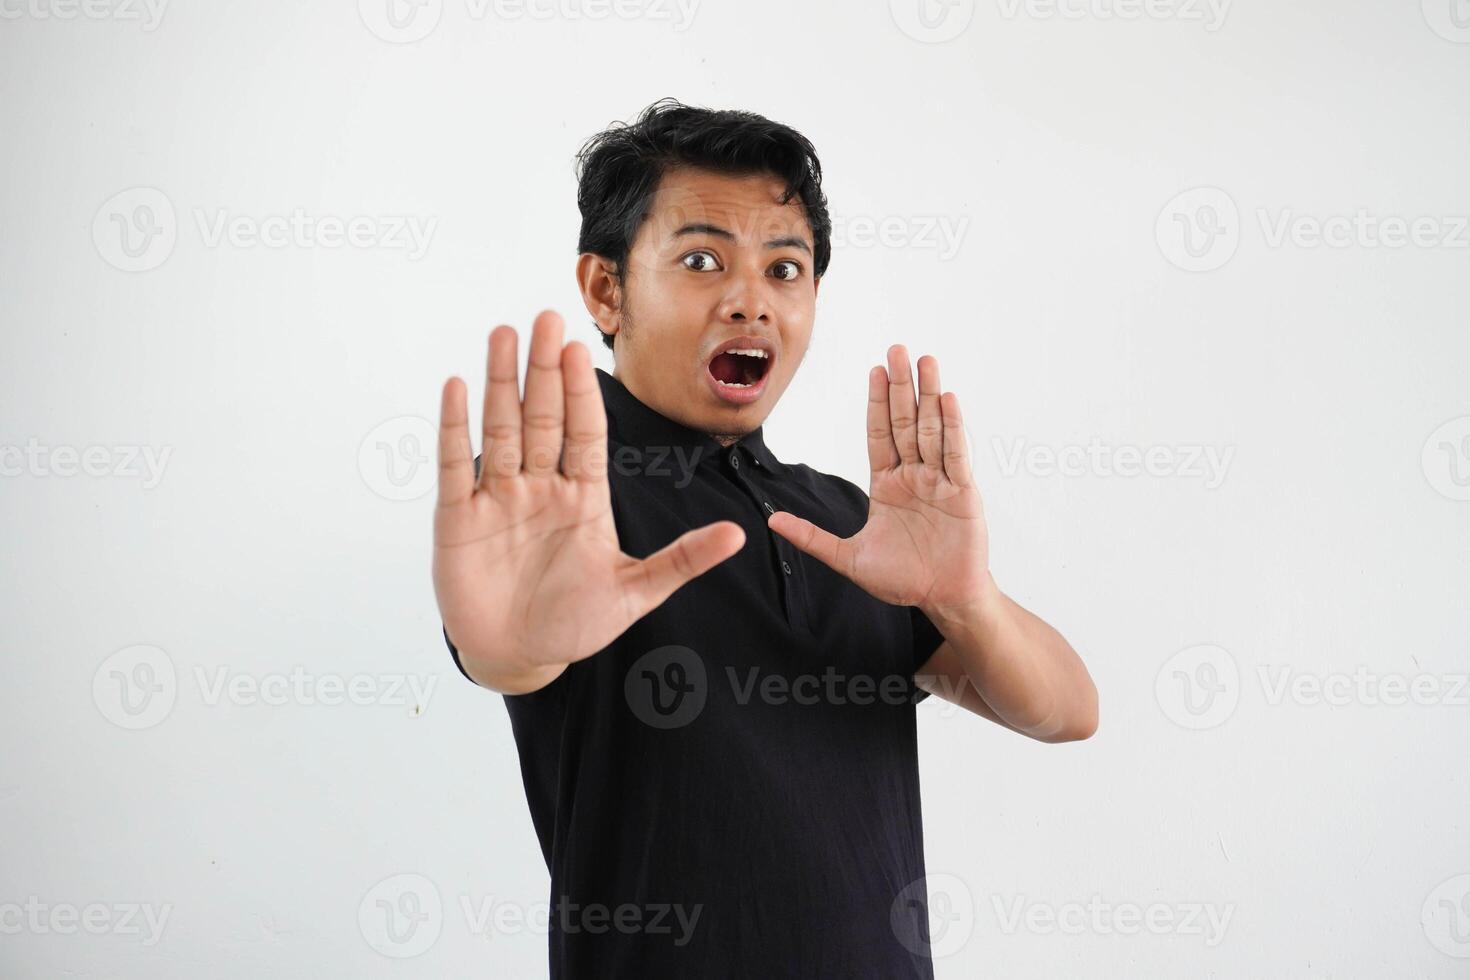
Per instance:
(731,788)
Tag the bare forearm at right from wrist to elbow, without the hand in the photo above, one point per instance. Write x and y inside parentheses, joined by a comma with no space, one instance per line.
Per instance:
(1024,669)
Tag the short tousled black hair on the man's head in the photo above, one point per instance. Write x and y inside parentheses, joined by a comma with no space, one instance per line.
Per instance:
(620,170)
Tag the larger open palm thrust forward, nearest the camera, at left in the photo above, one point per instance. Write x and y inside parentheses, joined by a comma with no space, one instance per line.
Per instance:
(527,566)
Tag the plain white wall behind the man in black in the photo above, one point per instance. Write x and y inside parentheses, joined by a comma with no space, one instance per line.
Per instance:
(1328,834)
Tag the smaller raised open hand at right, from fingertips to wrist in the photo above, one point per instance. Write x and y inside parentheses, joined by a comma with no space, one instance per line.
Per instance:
(925,541)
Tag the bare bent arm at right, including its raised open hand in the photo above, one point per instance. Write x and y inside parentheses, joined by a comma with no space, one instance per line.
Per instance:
(927,544)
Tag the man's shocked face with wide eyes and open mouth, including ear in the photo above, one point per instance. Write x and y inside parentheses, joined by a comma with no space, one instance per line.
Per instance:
(717,308)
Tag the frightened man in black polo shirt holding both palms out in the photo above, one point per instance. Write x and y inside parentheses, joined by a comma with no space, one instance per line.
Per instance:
(711,657)
